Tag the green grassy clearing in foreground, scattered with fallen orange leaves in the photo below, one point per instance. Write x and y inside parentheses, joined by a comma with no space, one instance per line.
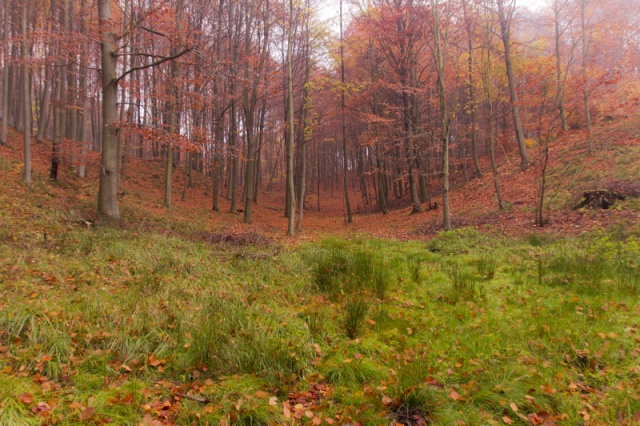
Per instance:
(121,324)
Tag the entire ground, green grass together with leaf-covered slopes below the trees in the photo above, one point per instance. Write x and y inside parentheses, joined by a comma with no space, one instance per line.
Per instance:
(186,316)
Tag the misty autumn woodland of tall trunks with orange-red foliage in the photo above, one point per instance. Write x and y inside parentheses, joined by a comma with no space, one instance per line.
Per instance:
(414,99)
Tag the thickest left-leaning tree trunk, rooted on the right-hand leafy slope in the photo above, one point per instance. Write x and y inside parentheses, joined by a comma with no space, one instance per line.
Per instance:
(505,29)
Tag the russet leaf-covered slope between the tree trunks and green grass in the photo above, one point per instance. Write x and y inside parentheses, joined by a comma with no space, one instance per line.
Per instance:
(570,172)
